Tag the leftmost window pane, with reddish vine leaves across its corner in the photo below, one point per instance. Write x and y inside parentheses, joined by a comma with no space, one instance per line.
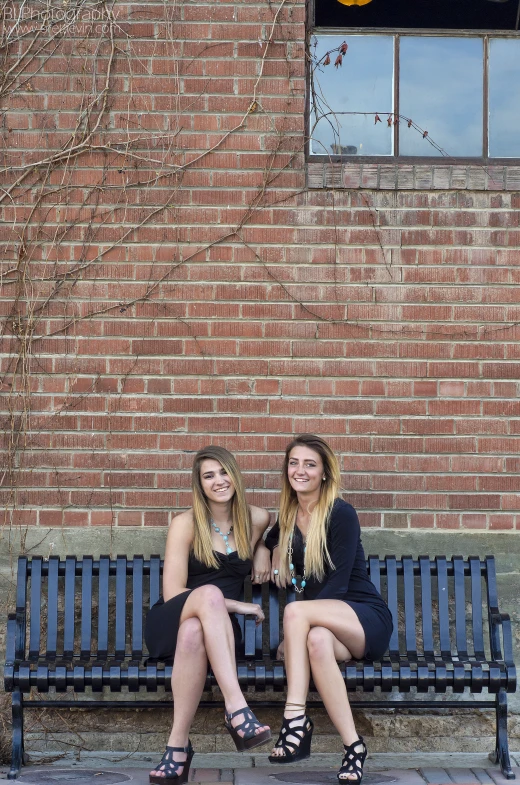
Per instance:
(364,83)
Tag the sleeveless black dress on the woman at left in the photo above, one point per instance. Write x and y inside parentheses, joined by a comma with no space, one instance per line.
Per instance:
(163,619)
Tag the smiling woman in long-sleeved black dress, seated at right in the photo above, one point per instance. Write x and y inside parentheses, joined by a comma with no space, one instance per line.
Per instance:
(317,549)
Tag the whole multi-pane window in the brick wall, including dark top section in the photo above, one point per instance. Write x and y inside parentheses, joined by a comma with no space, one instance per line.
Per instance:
(419,91)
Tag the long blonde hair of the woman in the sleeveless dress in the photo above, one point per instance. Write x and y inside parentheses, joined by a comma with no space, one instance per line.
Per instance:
(240,513)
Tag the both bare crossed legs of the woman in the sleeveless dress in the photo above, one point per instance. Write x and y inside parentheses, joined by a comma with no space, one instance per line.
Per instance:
(205,633)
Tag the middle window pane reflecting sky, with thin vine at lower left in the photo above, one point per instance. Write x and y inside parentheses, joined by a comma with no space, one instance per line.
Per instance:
(440,89)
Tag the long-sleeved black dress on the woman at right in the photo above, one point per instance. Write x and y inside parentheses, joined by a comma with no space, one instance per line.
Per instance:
(349,580)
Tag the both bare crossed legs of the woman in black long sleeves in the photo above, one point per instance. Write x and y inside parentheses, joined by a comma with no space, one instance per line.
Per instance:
(318,634)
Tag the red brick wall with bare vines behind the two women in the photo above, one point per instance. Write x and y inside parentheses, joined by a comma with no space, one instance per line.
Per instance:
(186,279)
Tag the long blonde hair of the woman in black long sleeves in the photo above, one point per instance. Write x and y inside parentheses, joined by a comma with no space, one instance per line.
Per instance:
(316,552)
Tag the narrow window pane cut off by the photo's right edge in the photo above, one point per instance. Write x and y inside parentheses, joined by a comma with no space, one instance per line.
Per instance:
(504,98)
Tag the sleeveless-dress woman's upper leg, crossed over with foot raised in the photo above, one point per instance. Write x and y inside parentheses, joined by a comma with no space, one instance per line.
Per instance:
(208,605)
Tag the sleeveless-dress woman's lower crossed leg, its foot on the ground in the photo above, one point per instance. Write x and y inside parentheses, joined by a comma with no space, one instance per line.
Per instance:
(188,677)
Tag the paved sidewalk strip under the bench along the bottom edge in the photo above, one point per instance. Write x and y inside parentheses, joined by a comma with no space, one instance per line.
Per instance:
(234,769)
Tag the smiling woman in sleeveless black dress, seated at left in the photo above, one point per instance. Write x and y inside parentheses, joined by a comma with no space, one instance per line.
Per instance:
(210,550)
